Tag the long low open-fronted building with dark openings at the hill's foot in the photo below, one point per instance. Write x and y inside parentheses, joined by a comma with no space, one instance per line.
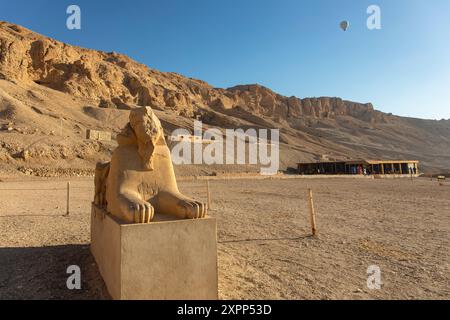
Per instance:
(368,167)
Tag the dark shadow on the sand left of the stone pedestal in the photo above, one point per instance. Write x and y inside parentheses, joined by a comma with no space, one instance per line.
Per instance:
(40,273)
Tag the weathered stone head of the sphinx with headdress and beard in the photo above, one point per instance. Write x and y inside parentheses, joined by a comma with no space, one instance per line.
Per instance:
(145,130)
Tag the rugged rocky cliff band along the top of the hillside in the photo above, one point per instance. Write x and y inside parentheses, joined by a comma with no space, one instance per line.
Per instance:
(113,80)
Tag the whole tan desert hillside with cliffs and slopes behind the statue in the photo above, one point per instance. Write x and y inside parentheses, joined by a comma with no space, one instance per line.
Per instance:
(51,92)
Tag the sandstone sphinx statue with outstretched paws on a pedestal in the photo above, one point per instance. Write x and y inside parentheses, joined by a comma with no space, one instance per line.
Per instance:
(140,178)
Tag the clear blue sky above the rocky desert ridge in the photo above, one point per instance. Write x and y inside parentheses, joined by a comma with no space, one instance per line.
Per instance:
(293,47)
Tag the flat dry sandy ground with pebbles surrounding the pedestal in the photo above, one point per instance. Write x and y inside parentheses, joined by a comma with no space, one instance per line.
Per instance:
(265,251)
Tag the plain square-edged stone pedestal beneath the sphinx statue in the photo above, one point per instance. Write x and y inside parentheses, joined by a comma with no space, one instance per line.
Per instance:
(167,259)
